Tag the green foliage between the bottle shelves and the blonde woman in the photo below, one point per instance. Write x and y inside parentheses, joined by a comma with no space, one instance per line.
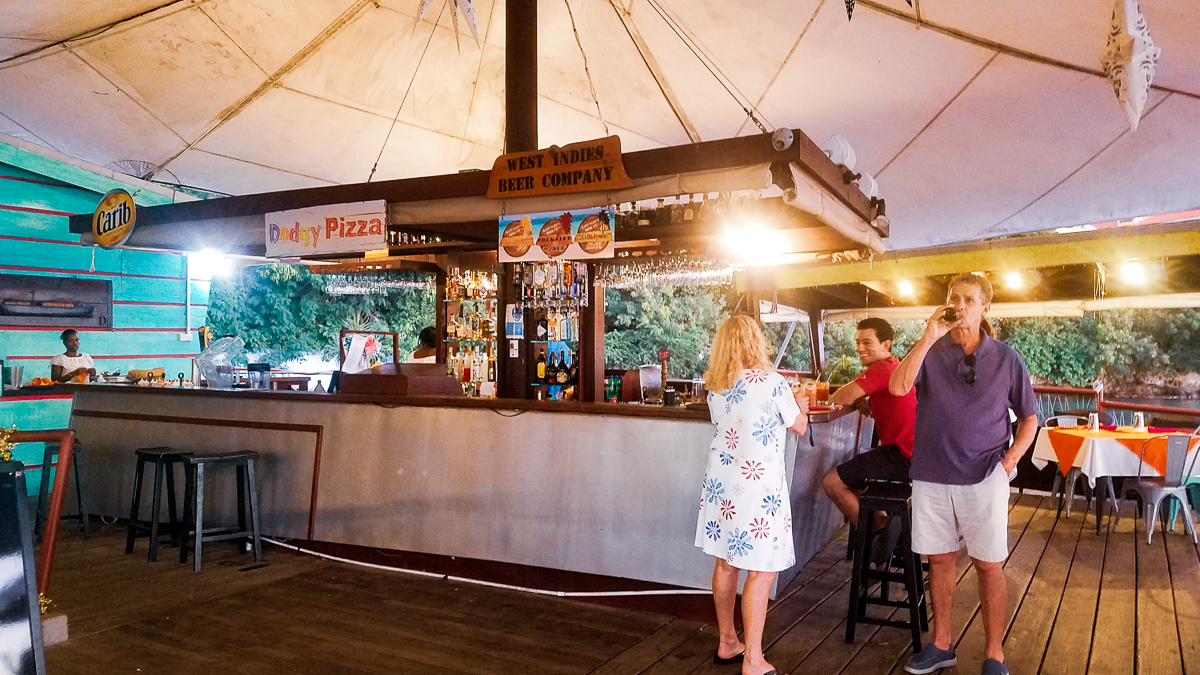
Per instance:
(639,324)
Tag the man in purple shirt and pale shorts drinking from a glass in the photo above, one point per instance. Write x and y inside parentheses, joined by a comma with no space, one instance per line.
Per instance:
(963,455)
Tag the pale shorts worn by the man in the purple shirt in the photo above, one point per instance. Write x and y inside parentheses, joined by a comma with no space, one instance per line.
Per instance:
(979,513)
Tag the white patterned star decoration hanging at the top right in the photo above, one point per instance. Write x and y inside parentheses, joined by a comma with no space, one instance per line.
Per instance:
(1130,59)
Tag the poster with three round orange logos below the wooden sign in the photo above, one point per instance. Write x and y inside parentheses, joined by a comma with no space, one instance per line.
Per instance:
(580,236)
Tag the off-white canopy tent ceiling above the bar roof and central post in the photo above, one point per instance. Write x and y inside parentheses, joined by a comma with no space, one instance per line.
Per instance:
(977,120)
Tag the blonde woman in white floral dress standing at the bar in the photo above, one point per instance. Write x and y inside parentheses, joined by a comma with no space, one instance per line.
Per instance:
(746,517)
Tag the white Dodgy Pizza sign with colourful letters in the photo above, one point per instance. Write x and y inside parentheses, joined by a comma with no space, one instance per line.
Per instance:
(337,229)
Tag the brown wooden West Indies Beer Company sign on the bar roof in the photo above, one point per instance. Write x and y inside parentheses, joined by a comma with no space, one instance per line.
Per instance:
(591,166)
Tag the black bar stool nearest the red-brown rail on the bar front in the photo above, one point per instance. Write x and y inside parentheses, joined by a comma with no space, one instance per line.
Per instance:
(194,503)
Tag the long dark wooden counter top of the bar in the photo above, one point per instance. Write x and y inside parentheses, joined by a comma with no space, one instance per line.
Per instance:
(625,410)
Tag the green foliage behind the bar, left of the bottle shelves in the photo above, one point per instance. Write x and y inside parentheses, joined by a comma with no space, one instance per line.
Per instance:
(284,313)
